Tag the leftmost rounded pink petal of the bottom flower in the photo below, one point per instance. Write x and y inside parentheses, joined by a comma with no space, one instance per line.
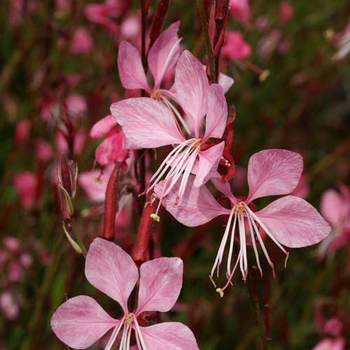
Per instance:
(80,322)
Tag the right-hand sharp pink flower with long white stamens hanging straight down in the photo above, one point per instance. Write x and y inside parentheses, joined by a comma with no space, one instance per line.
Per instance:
(289,221)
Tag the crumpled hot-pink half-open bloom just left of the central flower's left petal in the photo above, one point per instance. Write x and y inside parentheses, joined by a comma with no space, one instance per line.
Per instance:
(112,149)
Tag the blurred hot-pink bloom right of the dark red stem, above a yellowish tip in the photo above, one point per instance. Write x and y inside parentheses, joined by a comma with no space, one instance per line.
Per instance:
(235,47)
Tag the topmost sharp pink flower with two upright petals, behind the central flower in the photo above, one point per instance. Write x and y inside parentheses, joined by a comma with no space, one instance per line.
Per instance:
(162,58)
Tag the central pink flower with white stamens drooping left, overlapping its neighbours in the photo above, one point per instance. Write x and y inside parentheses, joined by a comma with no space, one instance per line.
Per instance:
(149,123)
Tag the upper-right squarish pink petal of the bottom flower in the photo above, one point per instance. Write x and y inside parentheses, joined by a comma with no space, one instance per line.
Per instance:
(160,284)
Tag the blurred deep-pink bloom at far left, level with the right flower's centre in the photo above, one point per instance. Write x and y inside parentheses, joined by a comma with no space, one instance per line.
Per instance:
(26,184)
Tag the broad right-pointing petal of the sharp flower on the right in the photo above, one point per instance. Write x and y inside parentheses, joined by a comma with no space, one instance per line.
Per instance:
(294,222)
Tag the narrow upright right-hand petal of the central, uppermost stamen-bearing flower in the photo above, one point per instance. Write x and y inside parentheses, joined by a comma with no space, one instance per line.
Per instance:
(217,112)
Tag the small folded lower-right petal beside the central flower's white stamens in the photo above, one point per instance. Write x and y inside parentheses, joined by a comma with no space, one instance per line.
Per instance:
(207,163)
